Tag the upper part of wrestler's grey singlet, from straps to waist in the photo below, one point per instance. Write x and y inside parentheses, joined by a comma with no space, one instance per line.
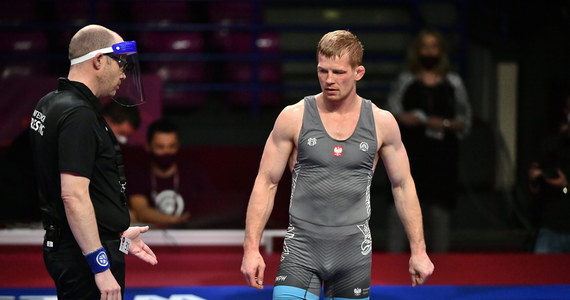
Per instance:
(331,178)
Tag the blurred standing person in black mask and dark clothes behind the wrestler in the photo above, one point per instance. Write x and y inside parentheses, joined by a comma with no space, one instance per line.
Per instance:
(431,106)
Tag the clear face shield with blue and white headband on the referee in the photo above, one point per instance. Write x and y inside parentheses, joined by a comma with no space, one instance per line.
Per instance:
(130,92)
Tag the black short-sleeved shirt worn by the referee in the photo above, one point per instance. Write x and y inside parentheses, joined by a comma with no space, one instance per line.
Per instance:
(69,136)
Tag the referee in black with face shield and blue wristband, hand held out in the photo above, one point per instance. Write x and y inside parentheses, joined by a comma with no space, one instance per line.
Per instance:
(80,173)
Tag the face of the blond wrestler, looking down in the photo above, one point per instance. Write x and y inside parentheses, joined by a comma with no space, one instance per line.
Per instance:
(337,77)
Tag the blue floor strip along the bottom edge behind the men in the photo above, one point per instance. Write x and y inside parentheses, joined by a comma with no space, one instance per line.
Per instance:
(541,292)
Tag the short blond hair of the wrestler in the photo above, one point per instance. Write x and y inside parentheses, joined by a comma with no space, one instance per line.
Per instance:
(339,42)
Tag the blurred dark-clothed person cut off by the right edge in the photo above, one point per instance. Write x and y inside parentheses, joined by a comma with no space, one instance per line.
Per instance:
(549,185)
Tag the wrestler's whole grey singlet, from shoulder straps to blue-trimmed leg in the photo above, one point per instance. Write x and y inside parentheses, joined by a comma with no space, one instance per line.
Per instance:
(328,243)
